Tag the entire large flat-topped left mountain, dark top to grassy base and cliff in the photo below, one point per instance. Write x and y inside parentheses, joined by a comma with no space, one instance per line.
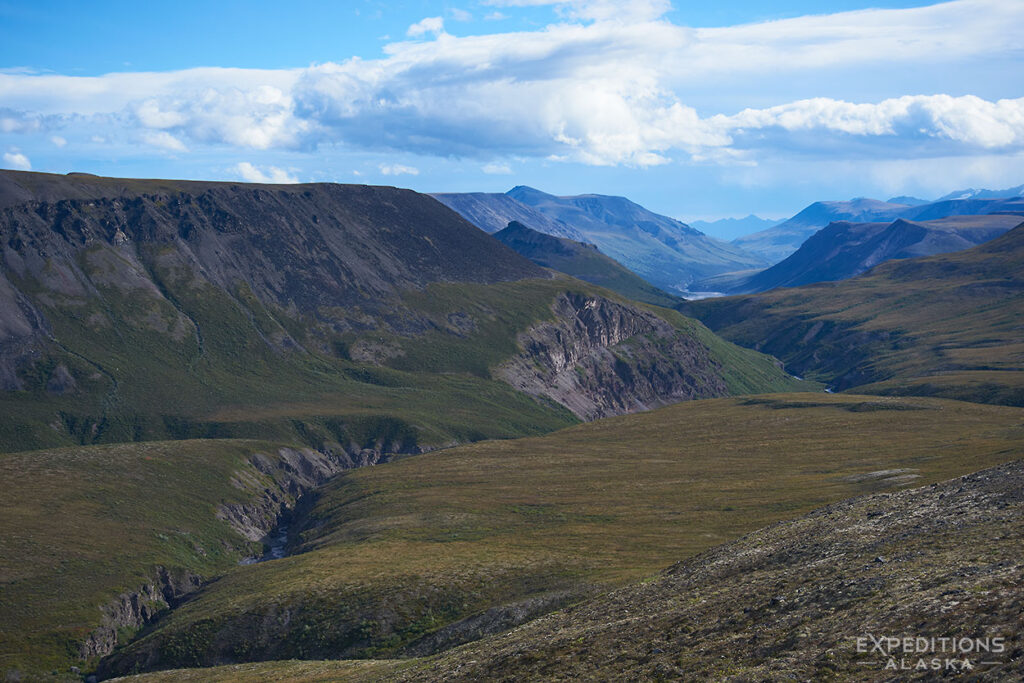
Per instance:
(152,310)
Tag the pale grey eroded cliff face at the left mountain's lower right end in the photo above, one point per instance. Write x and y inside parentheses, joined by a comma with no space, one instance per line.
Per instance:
(601,358)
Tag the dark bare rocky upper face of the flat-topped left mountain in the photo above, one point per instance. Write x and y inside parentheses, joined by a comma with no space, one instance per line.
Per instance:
(302,246)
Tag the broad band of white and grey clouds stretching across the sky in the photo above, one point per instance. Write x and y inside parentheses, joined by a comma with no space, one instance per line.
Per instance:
(611,84)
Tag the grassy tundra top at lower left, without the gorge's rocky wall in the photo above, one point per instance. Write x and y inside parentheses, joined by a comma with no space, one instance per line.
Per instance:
(80,526)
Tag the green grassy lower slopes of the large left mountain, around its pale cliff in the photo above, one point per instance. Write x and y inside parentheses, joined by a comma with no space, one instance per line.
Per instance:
(144,385)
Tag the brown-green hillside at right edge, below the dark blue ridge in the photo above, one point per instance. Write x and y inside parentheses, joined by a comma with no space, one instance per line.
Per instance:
(946,325)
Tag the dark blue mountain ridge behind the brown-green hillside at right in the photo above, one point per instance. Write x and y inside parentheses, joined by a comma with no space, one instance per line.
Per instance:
(843,250)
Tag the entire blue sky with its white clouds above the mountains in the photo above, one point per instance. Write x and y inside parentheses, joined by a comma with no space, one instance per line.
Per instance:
(696,110)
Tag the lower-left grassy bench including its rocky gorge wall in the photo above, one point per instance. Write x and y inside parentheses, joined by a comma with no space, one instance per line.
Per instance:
(98,541)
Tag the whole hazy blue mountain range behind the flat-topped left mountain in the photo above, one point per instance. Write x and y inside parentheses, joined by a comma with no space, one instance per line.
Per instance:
(664,251)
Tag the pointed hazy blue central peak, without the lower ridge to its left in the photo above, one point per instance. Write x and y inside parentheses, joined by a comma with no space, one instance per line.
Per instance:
(663,251)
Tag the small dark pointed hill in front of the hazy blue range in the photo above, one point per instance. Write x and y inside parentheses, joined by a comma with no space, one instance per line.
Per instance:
(583,262)
